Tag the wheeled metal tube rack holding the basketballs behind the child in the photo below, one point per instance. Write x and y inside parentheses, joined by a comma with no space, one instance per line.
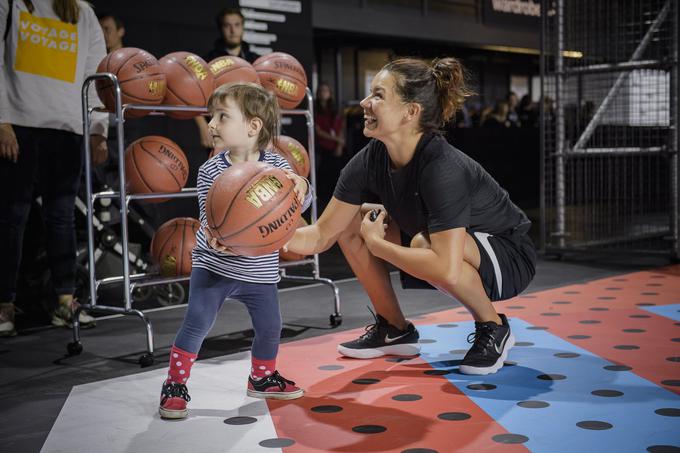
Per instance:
(132,281)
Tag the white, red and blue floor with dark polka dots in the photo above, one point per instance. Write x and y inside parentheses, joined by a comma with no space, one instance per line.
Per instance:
(596,367)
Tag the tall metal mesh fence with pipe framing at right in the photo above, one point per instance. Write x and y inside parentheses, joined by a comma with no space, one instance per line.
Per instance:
(609,139)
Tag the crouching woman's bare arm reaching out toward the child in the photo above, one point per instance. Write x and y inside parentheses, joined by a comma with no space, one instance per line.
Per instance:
(323,234)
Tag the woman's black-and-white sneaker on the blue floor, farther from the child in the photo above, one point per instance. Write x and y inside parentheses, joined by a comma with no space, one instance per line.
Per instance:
(491,344)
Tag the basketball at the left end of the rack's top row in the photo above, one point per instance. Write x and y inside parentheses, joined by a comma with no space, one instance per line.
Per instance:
(141,79)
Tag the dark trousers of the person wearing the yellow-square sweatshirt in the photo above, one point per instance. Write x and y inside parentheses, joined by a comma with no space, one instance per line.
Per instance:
(50,161)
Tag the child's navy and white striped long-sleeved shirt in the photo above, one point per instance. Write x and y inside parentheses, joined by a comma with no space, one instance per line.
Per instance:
(257,269)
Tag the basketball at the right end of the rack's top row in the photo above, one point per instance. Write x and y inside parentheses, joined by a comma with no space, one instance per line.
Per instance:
(283,75)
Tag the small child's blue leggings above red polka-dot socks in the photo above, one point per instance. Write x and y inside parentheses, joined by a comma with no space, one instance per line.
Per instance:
(207,292)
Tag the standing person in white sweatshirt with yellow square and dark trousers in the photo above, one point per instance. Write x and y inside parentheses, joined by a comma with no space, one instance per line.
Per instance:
(41,129)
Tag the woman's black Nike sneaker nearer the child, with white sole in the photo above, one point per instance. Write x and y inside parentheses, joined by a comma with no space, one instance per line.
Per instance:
(382,339)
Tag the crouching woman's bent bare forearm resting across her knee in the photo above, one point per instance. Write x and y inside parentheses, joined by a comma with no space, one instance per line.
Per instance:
(441,262)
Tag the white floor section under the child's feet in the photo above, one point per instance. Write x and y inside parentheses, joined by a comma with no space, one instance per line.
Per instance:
(121,414)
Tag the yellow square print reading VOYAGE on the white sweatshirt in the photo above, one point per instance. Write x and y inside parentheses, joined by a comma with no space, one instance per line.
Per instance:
(47,47)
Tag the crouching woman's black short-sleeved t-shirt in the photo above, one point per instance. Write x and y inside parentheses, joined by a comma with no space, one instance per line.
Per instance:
(439,189)
